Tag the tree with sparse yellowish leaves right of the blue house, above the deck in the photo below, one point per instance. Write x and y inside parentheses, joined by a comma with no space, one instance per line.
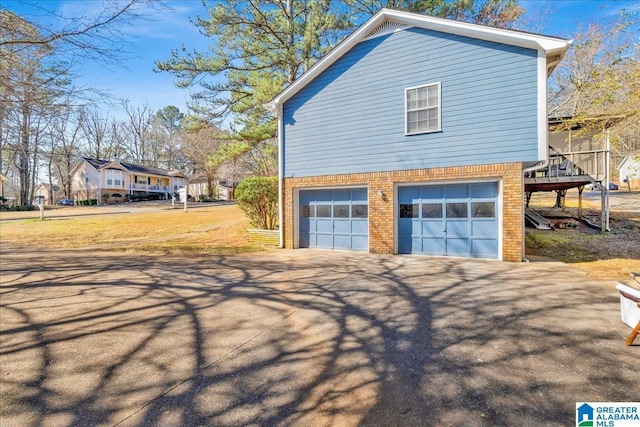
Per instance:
(600,77)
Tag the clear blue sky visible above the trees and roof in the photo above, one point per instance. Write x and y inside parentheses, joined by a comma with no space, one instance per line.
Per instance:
(171,28)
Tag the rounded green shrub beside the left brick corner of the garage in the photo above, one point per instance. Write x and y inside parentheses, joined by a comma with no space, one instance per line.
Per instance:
(258,198)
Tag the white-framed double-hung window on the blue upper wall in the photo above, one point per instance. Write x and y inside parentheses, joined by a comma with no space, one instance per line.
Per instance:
(422,109)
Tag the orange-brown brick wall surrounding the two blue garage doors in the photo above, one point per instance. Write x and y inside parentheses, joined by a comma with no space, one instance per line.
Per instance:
(381,209)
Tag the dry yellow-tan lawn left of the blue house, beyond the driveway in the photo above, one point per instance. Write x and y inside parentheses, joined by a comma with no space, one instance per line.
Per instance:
(215,229)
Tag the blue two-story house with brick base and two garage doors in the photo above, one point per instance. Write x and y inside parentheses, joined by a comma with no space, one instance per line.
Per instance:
(413,136)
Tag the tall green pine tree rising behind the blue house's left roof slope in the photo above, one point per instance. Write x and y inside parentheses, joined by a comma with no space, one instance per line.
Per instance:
(261,46)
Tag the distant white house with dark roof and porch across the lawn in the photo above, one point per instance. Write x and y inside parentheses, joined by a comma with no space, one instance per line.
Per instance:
(95,179)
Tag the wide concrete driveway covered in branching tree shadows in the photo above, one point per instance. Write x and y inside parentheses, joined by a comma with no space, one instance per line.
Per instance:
(304,338)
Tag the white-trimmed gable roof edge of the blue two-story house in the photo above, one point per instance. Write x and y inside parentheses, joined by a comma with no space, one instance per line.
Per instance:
(387,21)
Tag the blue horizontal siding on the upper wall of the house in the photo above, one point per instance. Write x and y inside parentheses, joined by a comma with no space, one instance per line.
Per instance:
(351,118)
